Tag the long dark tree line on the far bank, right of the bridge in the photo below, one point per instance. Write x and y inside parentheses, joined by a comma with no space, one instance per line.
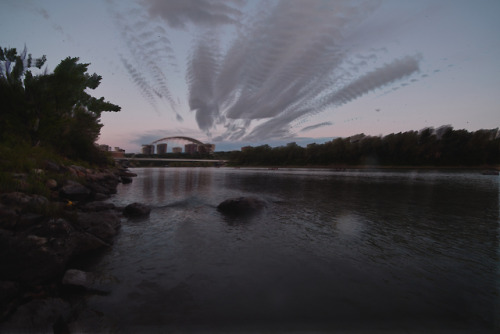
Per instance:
(428,147)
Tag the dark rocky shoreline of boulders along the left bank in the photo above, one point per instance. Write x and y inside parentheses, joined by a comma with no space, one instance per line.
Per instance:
(41,237)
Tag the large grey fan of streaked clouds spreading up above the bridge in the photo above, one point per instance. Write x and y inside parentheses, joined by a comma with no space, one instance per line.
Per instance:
(288,62)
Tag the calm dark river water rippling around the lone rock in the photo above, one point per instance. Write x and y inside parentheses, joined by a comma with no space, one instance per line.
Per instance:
(353,250)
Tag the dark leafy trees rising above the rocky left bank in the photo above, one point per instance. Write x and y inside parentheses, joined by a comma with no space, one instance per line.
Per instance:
(51,110)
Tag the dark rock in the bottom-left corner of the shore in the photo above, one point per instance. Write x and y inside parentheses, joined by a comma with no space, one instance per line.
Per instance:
(38,316)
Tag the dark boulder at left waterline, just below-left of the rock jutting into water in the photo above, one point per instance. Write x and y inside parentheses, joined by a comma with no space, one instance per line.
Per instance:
(103,224)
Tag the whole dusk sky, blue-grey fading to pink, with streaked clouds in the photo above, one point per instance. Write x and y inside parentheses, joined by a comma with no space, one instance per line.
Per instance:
(252,72)
